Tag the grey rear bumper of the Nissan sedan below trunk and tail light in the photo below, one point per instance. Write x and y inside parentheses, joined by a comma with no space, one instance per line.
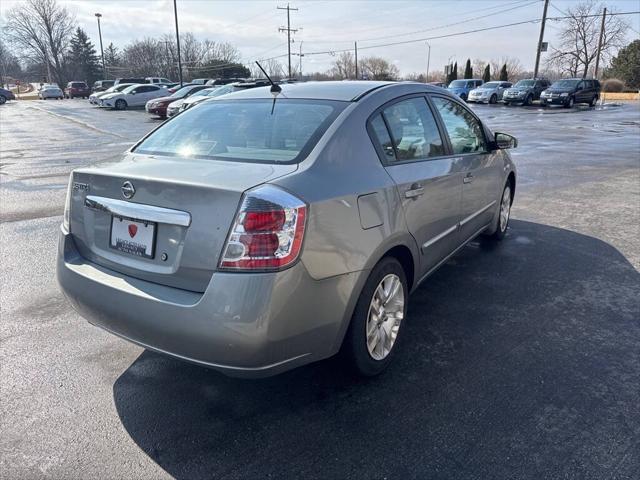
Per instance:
(248,325)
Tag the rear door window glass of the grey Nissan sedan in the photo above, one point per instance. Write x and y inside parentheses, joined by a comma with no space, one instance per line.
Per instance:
(413,130)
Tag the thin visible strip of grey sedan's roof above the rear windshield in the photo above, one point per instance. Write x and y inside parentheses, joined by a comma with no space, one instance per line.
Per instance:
(345,91)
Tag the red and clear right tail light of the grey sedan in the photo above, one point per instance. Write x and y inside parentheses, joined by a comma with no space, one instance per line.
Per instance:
(267,232)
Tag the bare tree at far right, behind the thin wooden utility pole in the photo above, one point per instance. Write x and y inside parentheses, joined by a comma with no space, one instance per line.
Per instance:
(577,48)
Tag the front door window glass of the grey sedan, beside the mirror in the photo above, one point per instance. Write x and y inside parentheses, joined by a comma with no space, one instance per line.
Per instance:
(465,131)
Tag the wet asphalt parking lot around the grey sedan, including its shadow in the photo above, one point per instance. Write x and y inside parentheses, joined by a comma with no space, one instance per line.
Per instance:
(521,361)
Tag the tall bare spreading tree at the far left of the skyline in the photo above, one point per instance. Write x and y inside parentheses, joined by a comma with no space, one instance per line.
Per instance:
(42,29)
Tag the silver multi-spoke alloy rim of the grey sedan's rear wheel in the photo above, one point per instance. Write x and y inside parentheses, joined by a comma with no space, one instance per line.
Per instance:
(386,312)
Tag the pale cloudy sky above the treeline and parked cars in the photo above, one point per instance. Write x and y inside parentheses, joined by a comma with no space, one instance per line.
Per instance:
(329,25)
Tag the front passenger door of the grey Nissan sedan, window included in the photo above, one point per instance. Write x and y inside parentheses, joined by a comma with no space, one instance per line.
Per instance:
(479,167)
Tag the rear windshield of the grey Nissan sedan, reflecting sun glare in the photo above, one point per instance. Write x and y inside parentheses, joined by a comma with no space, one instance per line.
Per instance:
(244,130)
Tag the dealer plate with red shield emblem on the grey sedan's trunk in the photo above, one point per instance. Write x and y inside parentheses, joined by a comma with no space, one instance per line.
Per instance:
(121,244)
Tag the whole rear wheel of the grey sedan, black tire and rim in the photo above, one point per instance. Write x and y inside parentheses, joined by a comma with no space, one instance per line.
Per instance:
(371,342)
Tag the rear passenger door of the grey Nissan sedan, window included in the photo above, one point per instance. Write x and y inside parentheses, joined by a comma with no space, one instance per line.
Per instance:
(411,147)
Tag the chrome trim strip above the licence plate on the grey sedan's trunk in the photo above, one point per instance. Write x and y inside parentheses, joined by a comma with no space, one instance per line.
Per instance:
(138,211)
